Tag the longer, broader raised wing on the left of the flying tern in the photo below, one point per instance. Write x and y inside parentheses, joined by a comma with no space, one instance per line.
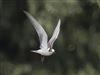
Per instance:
(41,32)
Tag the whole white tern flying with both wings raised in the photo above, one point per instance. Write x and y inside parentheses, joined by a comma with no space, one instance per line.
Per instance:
(46,47)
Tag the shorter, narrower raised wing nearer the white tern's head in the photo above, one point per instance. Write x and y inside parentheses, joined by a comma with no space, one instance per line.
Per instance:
(55,35)
